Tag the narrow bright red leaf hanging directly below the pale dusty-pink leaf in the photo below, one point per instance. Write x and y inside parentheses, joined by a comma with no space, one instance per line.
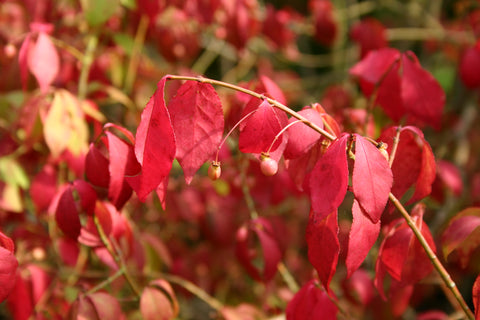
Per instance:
(362,237)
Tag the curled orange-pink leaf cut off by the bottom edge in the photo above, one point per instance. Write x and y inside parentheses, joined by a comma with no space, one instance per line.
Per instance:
(158,301)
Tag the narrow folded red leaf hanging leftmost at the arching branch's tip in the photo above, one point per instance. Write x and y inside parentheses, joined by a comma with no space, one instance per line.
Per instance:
(155,144)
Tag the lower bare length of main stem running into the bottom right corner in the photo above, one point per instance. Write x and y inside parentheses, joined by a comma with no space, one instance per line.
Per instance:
(433,258)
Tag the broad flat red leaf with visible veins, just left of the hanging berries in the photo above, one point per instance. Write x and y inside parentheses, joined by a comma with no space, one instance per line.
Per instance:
(197,120)
